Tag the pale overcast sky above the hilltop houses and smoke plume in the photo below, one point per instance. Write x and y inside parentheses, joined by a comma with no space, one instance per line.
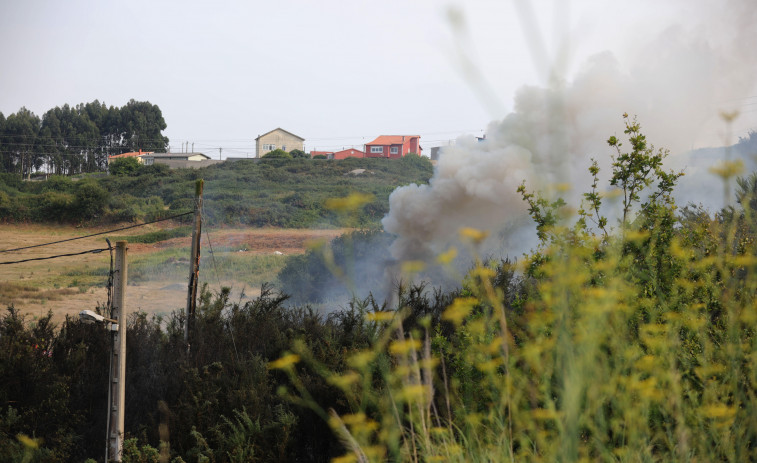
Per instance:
(337,73)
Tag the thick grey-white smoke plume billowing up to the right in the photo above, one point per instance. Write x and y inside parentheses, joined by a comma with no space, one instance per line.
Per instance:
(676,84)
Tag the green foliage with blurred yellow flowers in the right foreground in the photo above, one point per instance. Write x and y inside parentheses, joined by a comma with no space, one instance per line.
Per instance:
(636,346)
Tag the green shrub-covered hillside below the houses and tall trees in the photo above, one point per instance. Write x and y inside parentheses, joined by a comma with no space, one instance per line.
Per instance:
(277,192)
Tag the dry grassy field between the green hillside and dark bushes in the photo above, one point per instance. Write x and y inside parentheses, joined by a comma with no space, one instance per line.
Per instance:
(158,265)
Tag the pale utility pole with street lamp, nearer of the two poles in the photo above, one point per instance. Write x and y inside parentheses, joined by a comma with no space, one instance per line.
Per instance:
(118,362)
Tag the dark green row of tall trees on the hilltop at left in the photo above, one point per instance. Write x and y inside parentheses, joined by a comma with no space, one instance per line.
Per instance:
(75,139)
